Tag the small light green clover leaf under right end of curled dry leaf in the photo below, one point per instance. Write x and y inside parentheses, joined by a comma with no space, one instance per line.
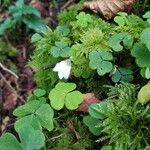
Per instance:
(121,19)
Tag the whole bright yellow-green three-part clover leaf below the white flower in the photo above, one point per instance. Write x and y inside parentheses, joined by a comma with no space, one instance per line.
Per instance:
(63,94)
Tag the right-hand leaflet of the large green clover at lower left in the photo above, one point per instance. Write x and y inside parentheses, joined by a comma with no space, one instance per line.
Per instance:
(45,114)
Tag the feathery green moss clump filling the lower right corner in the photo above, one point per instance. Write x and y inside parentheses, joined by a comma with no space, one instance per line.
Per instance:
(126,123)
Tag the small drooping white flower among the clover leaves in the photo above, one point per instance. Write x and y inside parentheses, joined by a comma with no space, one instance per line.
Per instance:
(63,68)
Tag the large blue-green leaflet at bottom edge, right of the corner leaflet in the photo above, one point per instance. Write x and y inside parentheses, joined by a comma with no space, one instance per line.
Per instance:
(31,139)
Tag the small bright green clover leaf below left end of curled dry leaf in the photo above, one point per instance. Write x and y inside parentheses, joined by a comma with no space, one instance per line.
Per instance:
(83,19)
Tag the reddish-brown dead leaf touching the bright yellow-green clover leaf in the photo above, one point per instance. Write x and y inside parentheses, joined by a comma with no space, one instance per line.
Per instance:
(89,99)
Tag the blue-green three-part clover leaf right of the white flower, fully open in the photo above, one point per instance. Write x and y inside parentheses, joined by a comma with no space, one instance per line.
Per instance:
(100,60)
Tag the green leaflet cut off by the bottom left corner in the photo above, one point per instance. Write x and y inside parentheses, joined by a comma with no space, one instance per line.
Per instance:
(9,142)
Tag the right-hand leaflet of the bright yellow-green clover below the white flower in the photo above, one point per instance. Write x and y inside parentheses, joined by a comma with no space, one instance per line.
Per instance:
(73,100)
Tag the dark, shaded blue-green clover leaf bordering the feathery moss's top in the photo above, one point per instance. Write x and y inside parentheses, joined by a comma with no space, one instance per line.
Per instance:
(122,74)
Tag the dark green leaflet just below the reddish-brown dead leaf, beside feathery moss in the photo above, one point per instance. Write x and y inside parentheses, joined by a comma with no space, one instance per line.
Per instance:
(92,124)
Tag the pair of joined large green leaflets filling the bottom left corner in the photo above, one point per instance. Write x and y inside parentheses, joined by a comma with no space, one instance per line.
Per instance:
(30,138)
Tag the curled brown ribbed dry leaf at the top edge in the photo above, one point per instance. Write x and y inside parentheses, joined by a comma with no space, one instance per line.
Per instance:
(109,8)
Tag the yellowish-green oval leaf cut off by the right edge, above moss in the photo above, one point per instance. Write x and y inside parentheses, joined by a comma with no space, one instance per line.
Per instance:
(144,94)
